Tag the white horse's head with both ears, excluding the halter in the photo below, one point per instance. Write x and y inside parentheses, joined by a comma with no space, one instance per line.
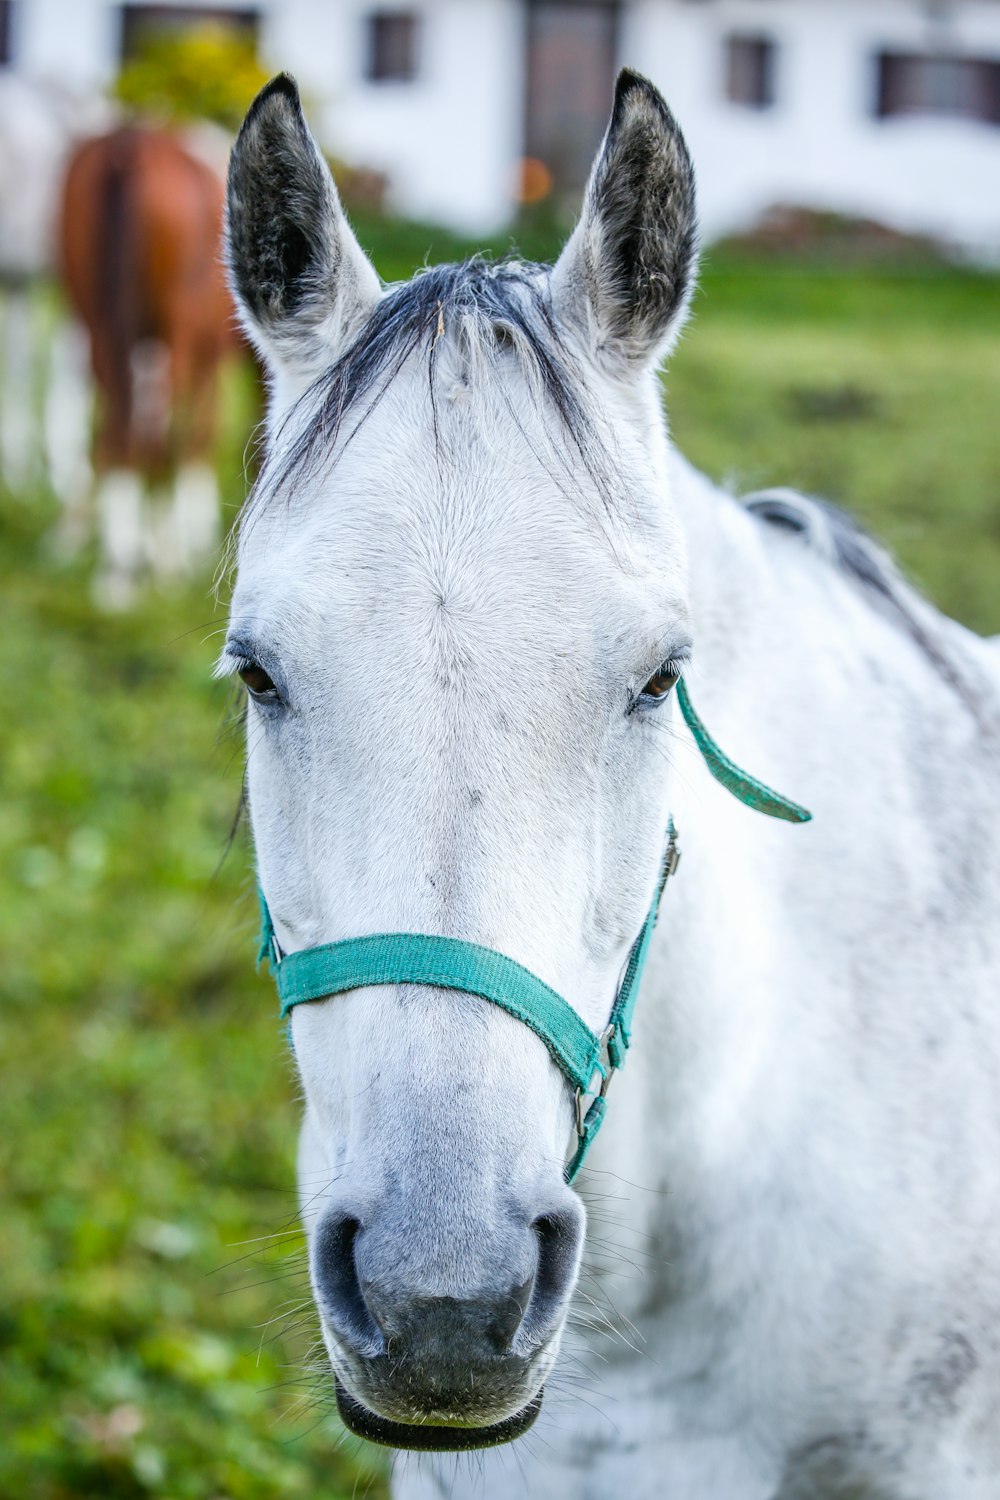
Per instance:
(460,613)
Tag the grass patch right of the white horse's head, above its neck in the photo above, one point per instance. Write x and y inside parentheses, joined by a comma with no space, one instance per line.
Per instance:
(878,391)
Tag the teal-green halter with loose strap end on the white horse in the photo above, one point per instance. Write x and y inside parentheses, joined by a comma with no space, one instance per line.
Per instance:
(584,1057)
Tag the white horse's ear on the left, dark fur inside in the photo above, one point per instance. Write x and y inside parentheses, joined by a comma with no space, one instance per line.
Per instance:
(302,281)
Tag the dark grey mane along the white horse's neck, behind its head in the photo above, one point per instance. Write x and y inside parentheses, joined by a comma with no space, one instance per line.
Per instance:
(848,548)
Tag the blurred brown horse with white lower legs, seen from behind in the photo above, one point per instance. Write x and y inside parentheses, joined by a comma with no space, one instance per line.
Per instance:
(140,235)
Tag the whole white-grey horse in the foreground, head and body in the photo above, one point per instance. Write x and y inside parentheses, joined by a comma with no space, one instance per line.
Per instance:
(469,583)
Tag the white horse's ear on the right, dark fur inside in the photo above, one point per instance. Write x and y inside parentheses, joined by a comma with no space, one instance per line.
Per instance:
(626,275)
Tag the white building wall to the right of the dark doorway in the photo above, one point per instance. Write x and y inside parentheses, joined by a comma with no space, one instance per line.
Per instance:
(821,143)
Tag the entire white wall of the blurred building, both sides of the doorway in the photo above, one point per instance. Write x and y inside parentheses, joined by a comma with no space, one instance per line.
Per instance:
(452,139)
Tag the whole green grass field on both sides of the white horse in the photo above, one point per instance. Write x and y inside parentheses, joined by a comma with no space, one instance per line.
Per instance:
(151,1339)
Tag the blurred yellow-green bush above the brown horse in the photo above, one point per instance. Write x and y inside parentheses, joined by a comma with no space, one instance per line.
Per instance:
(203,73)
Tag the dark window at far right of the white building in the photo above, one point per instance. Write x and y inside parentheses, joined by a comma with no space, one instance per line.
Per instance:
(932,83)
